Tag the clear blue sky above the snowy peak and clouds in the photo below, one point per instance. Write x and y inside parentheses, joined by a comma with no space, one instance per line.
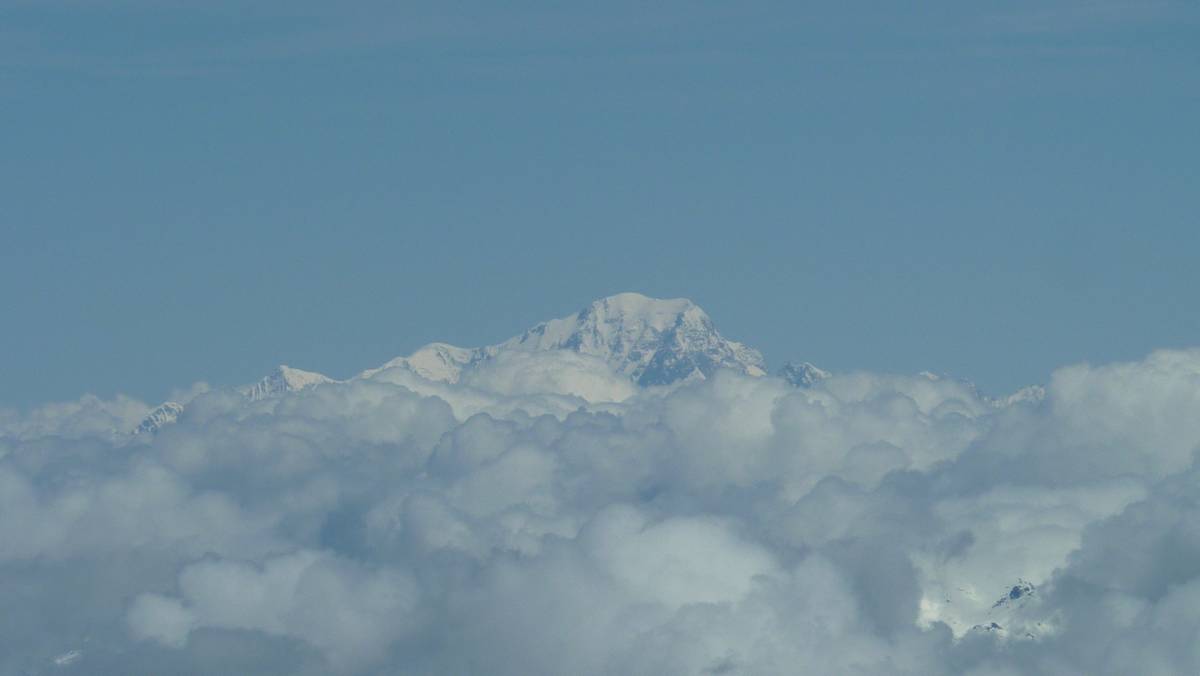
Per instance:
(201,192)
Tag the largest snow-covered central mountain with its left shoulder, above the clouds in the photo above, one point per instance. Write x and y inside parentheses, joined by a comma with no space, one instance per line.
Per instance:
(651,342)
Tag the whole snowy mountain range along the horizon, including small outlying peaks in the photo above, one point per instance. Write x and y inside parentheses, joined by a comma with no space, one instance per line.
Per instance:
(644,342)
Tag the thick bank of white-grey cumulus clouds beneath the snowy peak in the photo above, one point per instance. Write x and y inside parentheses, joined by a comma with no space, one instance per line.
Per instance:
(545,516)
